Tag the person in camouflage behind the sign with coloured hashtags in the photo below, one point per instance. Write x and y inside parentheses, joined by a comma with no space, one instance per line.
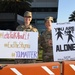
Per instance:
(28,28)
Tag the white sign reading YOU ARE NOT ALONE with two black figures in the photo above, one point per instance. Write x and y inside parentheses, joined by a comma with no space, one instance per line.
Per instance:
(63,36)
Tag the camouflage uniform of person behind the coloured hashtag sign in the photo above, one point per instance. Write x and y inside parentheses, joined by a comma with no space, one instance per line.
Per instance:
(29,29)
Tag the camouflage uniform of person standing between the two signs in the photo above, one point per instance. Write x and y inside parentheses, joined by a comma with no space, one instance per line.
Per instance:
(47,48)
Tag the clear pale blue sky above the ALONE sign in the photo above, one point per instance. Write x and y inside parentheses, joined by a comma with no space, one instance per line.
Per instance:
(65,8)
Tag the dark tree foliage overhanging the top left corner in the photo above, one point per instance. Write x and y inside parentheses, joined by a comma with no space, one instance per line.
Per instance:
(16,6)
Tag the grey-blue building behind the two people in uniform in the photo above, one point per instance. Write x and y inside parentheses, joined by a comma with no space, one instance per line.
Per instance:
(40,10)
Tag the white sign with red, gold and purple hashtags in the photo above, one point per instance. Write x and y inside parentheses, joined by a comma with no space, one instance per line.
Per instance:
(18,45)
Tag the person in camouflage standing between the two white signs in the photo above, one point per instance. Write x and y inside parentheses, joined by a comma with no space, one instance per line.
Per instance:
(46,41)
